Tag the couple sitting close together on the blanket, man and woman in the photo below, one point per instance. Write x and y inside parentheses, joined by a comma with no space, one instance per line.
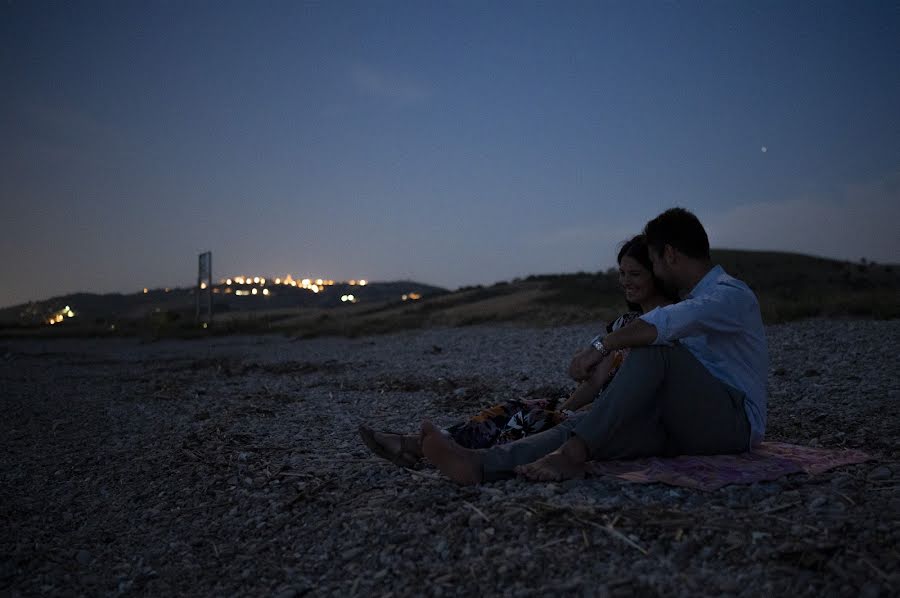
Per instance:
(672,377)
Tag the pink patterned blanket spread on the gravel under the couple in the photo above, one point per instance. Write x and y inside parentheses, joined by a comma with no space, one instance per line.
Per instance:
(769,461)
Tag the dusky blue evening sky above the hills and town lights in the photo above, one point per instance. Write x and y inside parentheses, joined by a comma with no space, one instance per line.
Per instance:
(451,143)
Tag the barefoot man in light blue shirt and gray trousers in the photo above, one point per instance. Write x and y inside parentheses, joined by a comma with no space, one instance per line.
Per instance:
(694,381)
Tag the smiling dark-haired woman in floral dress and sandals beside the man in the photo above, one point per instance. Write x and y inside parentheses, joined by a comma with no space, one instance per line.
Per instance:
(517,418)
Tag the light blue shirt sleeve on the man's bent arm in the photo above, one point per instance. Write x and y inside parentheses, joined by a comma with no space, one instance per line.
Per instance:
(724,309)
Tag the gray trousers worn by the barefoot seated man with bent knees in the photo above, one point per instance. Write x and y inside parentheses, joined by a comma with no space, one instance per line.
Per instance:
(662,402)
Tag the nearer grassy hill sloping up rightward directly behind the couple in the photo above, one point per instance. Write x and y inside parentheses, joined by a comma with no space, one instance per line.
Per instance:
(789,286)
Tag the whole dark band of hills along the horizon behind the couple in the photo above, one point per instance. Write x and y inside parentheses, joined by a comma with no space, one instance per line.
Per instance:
(789,286)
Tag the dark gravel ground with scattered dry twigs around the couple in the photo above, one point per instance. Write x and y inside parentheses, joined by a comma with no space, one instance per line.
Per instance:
(231,466)
